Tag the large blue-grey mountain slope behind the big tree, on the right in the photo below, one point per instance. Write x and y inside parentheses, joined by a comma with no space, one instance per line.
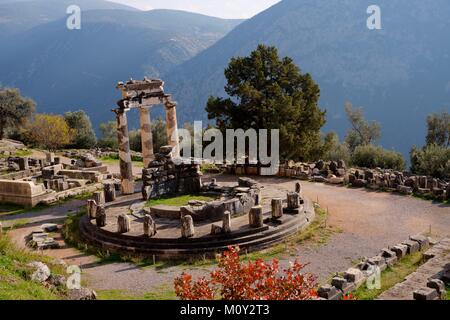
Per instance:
(399,74)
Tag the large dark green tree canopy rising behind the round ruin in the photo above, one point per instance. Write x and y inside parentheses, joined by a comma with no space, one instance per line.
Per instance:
(267,92)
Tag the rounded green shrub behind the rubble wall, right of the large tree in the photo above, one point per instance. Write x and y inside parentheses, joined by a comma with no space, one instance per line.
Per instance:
(370,156)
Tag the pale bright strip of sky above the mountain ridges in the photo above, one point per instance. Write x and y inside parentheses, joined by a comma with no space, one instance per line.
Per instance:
(228,9)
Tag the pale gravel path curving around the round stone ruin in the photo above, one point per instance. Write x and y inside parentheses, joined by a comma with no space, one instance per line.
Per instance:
(367,221)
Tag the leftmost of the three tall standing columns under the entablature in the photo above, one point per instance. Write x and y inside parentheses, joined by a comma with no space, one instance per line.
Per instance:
(126,166)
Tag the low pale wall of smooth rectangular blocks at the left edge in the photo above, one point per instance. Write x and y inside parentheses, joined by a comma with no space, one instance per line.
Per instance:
(24,193)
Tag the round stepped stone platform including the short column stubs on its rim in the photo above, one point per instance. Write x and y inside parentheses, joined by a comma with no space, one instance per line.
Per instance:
(236,217)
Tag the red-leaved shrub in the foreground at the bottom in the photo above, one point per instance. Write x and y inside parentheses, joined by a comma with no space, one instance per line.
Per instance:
(234,280)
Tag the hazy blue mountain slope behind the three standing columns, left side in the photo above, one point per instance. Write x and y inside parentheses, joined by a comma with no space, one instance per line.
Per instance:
(63,69)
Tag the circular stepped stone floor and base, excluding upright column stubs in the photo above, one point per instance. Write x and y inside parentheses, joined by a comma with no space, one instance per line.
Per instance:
(168,241)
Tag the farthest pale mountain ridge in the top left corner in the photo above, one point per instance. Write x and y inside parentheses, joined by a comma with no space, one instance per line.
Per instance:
(17,16)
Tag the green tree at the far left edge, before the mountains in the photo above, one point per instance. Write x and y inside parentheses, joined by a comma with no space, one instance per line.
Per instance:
(14,109)
